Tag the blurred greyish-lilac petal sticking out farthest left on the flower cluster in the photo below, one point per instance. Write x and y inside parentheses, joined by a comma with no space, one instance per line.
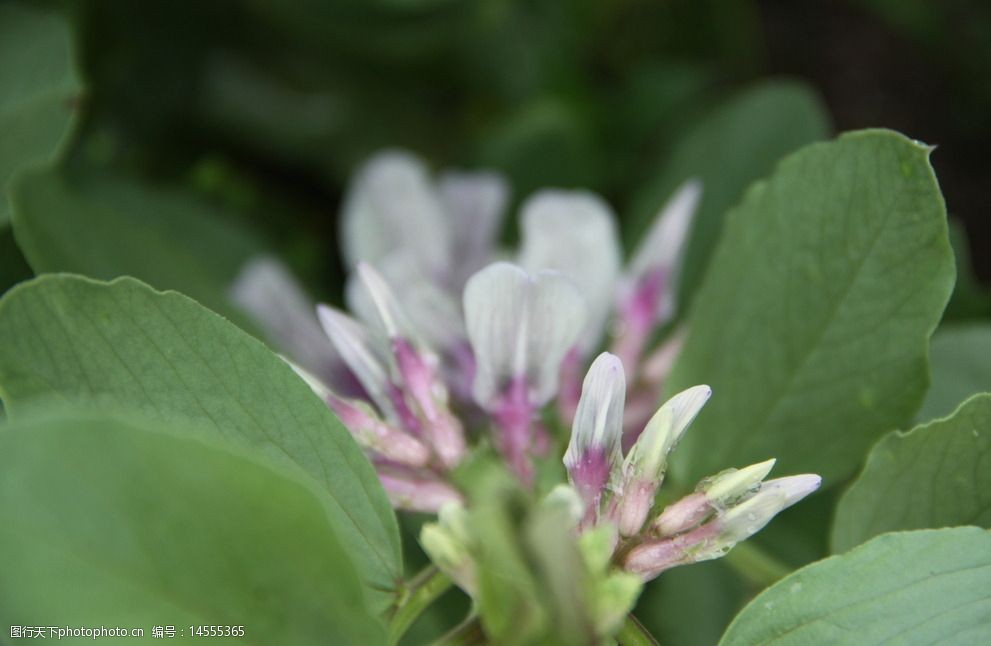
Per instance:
(266,289)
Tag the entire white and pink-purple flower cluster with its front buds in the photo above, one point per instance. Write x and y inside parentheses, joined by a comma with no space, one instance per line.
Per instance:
(450,341)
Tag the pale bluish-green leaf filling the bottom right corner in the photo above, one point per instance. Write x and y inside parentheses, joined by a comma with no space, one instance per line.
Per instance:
(922,587)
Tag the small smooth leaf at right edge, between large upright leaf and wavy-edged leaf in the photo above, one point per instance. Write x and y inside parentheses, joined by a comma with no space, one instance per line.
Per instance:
(961,367)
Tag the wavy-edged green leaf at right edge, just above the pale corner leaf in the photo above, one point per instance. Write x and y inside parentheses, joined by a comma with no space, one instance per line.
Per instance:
(936,475)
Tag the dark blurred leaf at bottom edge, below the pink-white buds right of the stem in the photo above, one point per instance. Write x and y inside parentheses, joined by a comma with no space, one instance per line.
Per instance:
(692,605)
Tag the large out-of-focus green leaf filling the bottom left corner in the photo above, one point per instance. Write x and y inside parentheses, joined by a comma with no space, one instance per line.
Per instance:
(108,522)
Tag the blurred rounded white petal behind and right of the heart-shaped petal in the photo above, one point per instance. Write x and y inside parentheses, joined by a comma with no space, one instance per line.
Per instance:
(575,233)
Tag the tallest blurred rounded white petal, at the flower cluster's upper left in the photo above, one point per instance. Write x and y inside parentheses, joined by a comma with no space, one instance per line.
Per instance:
(392,204)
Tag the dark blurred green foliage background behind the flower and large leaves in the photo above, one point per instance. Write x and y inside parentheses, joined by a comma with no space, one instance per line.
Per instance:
(207,131)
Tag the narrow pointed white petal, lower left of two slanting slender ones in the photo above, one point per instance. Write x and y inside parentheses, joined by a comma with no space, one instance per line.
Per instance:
(363,354)
